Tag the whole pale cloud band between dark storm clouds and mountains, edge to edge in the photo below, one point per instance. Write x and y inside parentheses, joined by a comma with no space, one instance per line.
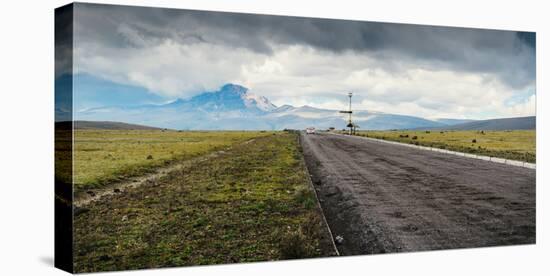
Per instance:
(301,75)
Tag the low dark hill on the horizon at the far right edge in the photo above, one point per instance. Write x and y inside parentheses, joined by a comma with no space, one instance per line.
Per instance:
(519,123)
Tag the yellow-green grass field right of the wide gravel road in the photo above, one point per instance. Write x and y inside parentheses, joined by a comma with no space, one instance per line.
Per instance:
(517,144)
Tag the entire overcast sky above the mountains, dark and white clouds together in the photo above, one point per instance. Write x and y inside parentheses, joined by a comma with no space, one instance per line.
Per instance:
(434,72)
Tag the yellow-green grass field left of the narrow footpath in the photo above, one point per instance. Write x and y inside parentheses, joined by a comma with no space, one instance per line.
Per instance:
(105,156)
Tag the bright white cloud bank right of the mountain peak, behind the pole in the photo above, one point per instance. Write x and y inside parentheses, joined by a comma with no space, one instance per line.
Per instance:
(393,88)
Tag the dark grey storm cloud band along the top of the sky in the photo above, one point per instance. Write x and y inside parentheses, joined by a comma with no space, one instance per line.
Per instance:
(508,55)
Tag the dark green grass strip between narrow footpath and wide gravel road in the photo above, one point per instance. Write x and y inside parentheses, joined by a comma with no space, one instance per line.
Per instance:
(251,203)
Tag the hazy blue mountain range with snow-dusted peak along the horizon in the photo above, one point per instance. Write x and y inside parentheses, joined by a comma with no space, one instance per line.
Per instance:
(234,107)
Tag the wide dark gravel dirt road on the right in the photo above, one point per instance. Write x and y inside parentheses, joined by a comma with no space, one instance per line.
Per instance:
(389,198)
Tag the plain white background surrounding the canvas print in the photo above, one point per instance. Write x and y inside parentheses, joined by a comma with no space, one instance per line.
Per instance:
(26,153)
